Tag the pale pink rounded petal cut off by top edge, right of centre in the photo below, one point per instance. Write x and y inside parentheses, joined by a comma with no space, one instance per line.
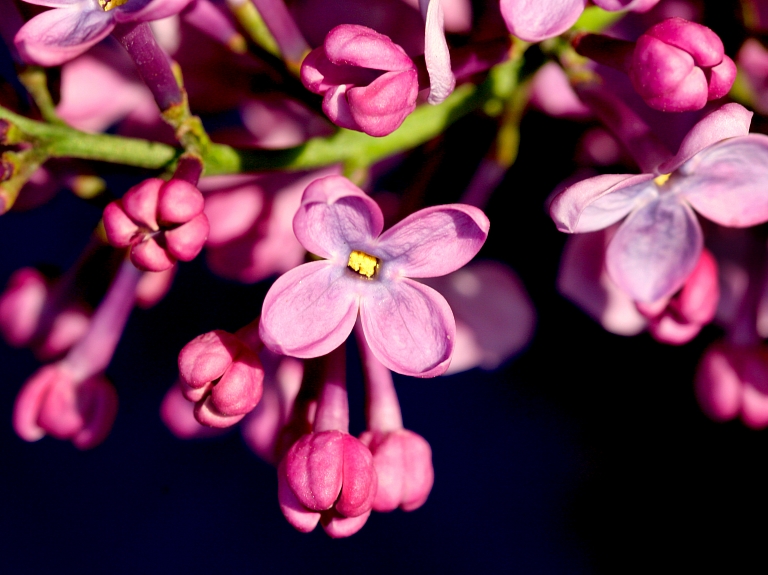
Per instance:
(540,19)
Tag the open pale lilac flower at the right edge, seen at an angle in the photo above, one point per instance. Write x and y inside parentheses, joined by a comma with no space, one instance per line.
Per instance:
(719,170)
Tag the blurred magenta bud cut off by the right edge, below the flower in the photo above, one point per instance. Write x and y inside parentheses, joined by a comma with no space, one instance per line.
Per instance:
(732,381)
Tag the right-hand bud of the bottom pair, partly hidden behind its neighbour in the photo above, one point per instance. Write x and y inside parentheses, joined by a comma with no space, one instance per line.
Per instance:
(403,462)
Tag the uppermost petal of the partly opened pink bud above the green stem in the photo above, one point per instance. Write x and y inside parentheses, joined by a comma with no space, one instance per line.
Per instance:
(351,44)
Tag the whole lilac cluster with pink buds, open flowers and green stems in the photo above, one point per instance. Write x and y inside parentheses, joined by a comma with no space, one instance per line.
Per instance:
(363,252)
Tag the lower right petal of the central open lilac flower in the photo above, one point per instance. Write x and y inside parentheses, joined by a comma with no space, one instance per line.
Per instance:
(409,327)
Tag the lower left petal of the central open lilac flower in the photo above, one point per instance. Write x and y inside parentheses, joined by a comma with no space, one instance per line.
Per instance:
(310,310)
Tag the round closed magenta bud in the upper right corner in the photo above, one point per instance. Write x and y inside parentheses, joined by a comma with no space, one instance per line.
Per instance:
(678,66)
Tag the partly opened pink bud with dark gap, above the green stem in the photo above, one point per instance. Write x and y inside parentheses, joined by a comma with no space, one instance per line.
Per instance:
(368,82)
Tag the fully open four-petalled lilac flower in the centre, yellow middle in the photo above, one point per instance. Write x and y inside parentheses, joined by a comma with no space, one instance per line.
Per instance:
(312,309)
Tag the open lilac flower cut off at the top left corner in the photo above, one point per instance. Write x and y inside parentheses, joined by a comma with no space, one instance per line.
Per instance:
(73,26)
